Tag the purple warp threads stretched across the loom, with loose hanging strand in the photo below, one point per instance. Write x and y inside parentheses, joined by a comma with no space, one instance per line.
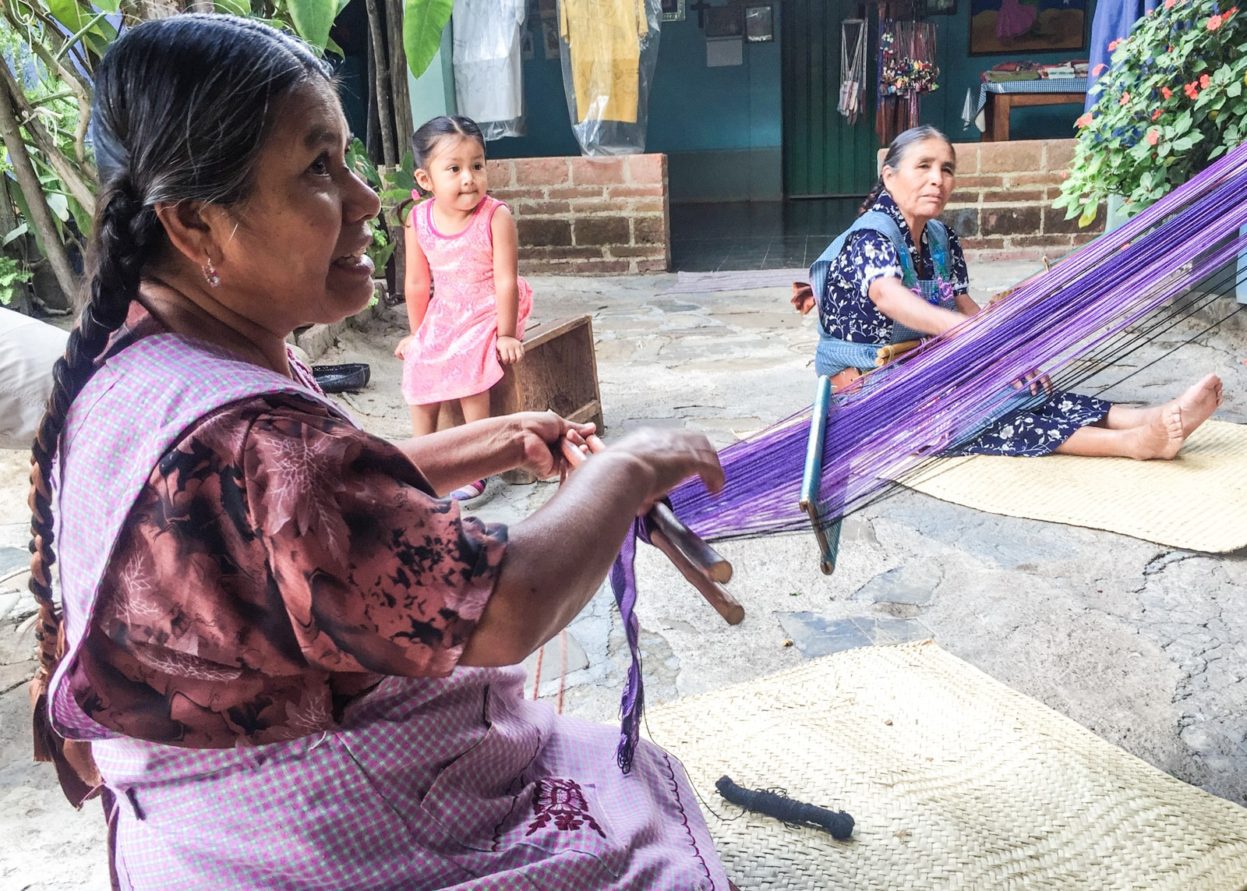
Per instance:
(946,392)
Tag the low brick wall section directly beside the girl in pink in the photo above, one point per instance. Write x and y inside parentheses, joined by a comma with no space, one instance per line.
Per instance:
(588,216)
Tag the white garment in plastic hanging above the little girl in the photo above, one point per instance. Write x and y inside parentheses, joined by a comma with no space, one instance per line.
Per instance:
(489,87)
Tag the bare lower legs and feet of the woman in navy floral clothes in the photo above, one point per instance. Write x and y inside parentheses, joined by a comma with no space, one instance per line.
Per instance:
(1153,433)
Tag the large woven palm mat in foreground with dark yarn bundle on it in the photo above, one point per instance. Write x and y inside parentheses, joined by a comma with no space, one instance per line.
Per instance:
(955,781)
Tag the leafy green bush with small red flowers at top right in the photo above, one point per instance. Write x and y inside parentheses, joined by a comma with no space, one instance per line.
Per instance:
(1174,100)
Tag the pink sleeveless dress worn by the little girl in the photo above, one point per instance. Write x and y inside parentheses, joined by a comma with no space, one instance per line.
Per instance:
(456,351)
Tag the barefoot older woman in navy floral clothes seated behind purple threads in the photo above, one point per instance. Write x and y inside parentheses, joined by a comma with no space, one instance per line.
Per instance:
(898,274)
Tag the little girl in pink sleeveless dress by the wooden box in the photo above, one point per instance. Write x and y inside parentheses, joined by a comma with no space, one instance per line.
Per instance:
(465,297)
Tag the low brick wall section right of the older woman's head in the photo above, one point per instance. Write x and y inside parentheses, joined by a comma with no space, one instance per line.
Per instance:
(1003,204)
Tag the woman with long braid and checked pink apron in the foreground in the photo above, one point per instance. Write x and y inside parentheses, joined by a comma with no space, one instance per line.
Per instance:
(285,661)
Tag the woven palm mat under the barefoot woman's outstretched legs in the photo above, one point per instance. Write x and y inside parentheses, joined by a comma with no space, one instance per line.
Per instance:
(1196,502)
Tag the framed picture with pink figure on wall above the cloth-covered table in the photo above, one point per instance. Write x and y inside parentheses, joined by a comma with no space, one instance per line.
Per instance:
(1013,27)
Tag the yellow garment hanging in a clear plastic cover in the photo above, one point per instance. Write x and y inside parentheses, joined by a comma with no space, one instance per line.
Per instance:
(609,54)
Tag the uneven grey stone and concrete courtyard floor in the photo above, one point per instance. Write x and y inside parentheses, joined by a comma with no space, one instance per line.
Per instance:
(1142,644)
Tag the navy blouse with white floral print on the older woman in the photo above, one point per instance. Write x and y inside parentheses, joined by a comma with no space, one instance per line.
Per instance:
(845,308)
